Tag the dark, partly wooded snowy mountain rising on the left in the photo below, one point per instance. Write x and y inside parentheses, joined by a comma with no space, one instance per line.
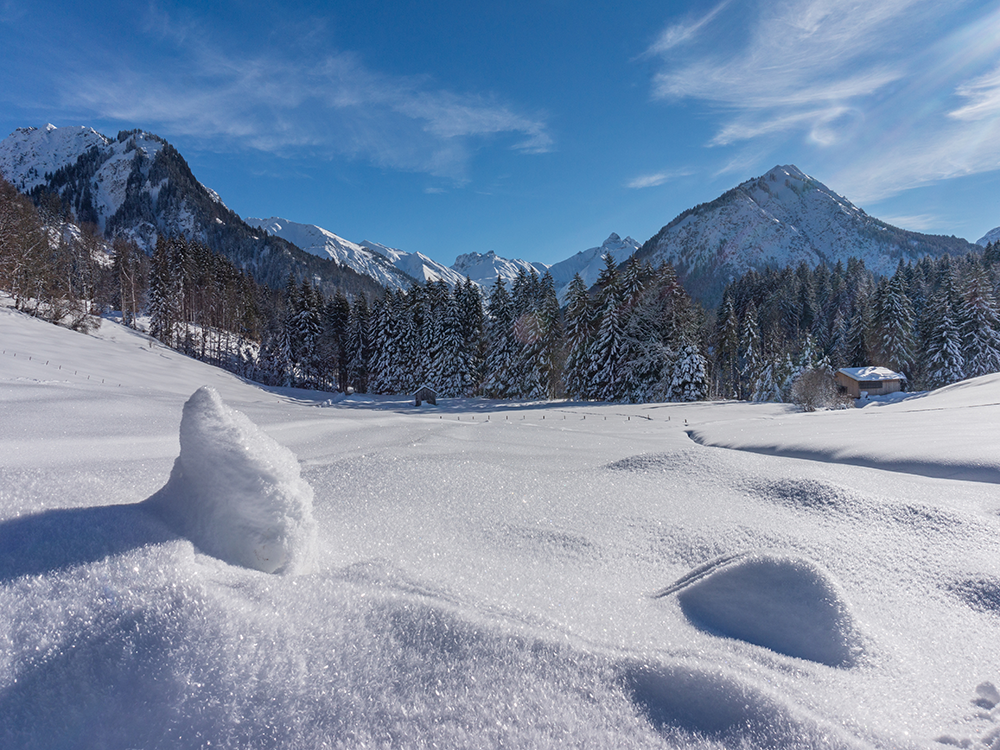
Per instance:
(139,186)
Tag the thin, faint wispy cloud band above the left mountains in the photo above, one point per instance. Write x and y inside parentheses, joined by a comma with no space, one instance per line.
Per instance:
(334,104)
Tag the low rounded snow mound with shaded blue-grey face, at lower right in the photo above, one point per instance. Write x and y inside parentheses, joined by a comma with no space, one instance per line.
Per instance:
(787,604)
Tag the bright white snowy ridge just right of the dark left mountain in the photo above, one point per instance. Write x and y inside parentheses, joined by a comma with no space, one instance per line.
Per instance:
(325,244)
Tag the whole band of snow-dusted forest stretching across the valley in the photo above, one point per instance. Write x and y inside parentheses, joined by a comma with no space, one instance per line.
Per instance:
(636,336)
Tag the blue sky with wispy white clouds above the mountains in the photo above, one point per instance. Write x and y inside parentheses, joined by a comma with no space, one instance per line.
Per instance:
(533,129)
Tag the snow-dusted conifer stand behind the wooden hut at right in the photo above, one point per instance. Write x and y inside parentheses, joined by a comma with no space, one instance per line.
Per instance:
(936,321)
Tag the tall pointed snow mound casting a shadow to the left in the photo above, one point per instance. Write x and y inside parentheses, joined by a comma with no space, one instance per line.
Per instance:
(236,493)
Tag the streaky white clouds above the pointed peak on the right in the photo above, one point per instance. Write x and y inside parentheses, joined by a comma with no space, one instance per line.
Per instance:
(889,95)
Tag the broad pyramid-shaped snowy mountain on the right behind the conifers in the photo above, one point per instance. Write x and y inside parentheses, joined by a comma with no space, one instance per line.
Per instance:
(782,218)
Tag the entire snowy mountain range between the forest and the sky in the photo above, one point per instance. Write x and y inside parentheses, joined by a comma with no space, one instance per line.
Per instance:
(138,185)
